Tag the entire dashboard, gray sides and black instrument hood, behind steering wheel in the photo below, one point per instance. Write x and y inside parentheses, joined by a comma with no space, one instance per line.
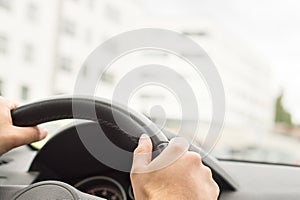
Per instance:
(64,158)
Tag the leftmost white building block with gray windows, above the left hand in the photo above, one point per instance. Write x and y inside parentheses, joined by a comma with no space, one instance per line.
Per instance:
(26,40)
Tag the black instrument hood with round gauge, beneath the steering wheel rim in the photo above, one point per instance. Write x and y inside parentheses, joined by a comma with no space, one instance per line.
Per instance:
(73,164)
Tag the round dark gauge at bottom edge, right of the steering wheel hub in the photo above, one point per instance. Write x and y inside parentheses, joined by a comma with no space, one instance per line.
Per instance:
(102,186)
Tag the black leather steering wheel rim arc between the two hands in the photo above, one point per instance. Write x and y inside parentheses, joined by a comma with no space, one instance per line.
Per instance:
(54,109)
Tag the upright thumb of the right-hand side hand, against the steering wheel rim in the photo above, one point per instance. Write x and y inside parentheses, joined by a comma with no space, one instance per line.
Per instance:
(143,153)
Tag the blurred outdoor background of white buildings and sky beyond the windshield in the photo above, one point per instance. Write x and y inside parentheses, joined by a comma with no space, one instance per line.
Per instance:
(254,44)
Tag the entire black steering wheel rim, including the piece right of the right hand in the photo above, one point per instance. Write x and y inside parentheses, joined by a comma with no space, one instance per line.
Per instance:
(50,109)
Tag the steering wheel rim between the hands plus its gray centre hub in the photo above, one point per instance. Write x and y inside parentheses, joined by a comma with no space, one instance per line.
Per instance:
(97,110)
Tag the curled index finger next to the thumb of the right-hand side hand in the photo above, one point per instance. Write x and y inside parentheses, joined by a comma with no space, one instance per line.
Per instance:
(176,148)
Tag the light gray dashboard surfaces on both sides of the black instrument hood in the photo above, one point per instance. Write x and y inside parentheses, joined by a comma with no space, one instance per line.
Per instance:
(254,180)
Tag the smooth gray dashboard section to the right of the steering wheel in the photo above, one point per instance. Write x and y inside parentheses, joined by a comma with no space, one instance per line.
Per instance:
(263,181)
